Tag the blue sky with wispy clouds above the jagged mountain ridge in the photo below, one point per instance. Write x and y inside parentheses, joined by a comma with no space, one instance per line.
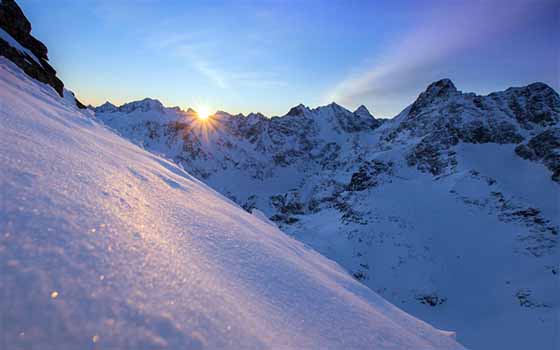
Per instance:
(267,56)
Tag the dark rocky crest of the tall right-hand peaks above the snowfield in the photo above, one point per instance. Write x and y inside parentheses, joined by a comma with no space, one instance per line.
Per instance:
(442,117)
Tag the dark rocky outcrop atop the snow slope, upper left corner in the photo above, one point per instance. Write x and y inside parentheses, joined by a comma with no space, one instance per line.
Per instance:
(19,46)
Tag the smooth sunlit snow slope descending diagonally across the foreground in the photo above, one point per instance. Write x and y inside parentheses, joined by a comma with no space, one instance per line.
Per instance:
(106,245)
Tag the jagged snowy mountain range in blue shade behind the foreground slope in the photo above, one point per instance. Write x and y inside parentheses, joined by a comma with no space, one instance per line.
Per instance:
(449,210)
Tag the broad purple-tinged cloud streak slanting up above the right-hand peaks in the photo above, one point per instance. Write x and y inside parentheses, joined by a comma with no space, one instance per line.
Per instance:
(446,32)
